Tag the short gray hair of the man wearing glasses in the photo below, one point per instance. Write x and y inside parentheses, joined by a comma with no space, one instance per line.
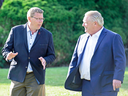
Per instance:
(31,12)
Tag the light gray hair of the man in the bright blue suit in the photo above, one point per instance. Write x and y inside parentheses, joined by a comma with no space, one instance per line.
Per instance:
(95,16)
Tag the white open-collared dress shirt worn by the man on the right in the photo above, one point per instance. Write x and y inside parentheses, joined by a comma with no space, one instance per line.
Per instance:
(84,68)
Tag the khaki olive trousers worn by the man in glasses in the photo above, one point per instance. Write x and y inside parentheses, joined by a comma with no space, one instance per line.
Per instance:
(29,87)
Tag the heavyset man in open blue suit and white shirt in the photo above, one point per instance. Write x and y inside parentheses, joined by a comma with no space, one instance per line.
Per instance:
(98,62)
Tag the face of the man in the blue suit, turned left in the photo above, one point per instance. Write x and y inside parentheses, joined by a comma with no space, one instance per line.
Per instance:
(88,25)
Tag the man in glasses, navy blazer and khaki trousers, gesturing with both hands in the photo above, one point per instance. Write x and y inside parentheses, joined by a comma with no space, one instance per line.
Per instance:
(29,48)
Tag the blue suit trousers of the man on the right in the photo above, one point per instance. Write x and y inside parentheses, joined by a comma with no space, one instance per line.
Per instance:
(87,90)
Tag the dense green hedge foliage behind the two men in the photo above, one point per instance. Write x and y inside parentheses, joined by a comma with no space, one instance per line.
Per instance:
(64,19)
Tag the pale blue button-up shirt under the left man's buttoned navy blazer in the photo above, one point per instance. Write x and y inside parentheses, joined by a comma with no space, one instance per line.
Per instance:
(30,38)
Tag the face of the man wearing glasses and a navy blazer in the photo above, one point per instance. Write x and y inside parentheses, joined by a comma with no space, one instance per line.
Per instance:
(36,21)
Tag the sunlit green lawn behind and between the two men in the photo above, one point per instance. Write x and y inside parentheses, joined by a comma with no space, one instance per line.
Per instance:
(55,78)
